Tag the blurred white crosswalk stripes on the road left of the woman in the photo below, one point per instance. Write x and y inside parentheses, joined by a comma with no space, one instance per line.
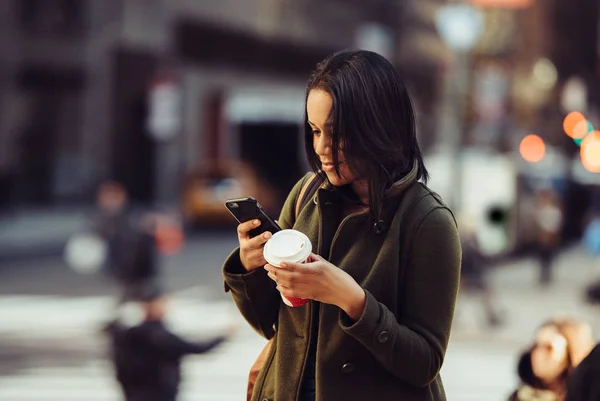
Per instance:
(73,325)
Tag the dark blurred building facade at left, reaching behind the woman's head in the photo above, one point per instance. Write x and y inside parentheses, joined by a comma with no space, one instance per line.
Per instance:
(76,77)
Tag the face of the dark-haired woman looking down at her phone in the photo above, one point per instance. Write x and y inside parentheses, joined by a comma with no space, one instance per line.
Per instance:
(318,106)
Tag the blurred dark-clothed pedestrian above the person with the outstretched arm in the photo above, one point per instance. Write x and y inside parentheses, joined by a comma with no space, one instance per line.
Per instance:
(132,260)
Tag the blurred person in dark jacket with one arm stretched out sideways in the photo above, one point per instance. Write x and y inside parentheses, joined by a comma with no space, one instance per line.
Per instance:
(147,357)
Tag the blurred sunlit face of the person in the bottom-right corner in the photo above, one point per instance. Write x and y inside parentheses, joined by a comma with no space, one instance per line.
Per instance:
(549,357)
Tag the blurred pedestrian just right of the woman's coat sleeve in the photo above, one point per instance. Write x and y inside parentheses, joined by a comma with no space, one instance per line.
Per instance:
(474,271)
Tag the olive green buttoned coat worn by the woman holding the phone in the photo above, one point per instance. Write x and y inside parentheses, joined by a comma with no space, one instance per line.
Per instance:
(408,264)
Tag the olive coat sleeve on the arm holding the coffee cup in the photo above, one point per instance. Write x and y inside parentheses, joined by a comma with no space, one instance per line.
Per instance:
(413,347)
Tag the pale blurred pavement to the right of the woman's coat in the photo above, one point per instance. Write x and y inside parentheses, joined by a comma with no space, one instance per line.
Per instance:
(481,364)
